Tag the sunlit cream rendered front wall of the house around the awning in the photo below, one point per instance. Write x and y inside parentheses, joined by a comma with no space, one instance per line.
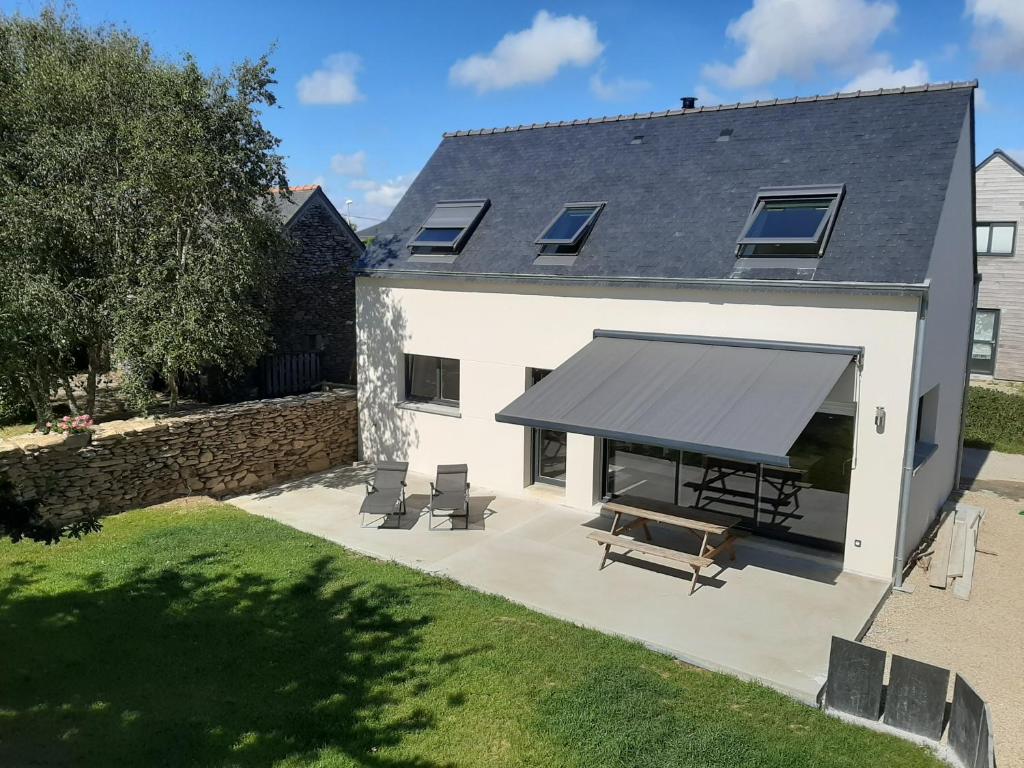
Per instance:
(498,332)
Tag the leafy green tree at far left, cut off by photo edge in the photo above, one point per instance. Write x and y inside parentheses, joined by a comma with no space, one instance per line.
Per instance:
(67,104)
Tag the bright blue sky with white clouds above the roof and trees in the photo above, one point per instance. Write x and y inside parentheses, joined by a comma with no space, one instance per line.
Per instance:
(367,90)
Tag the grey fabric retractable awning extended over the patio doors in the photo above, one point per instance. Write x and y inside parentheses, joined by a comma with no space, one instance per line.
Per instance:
(733,399)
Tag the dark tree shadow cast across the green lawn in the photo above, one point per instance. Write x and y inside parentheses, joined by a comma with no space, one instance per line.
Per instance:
(199,666)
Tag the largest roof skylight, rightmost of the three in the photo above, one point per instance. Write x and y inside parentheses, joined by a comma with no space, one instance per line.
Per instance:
(791,222)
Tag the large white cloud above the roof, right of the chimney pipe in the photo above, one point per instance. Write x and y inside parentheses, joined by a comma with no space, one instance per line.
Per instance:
(793,38)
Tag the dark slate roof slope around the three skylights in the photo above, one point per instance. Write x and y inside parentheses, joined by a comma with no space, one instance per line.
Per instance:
(677,202)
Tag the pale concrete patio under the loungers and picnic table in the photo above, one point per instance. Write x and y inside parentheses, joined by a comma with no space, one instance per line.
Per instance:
(766,617)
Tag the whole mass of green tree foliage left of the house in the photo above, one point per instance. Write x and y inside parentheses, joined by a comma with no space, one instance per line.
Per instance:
(137,212)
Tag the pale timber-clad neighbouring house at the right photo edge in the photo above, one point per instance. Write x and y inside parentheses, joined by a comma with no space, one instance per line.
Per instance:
(999,327)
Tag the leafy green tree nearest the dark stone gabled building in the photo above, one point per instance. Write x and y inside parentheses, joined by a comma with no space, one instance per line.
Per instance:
(197,294)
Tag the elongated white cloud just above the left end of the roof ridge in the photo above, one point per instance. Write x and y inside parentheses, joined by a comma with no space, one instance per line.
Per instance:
(531,56)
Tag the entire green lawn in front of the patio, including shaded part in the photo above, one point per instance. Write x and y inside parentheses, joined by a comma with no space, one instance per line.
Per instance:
(204,636)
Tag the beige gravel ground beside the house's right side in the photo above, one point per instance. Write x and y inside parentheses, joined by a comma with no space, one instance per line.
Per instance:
(982,638)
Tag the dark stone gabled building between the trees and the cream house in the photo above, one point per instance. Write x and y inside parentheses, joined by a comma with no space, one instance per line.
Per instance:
(316,305)
